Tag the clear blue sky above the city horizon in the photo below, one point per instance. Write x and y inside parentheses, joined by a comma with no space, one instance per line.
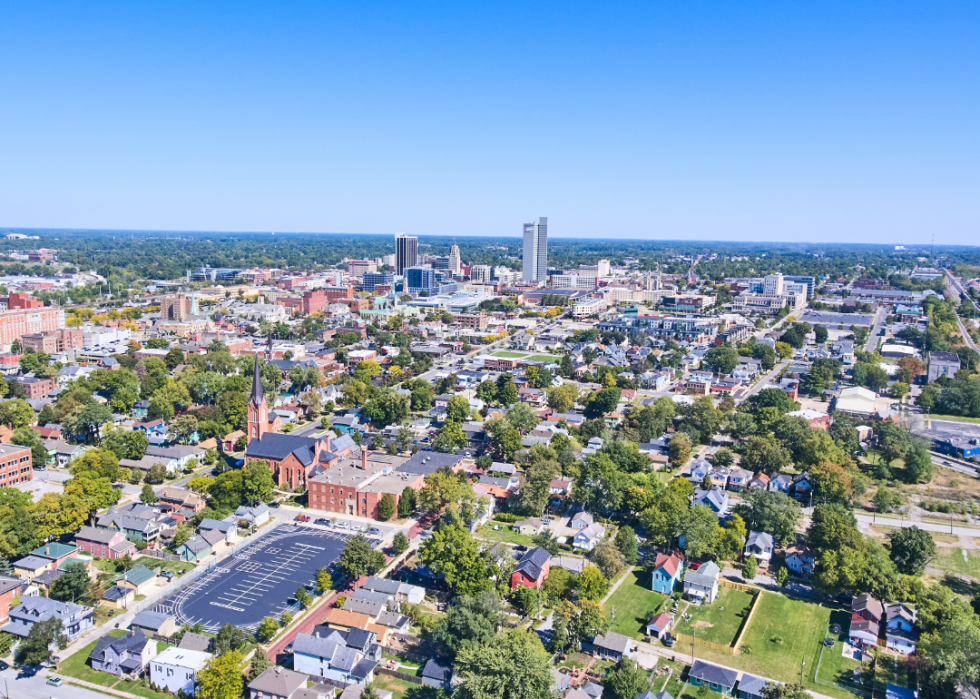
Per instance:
(822,121)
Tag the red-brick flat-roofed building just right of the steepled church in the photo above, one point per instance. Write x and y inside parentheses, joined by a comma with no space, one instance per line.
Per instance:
(355,486)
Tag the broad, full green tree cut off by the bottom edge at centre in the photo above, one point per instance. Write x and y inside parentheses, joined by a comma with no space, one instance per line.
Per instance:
(513,665)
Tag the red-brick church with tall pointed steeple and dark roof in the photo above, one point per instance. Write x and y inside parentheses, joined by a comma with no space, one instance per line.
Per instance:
(294,460)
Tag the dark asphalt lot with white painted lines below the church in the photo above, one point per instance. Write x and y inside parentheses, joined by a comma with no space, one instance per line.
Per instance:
(258,581)
